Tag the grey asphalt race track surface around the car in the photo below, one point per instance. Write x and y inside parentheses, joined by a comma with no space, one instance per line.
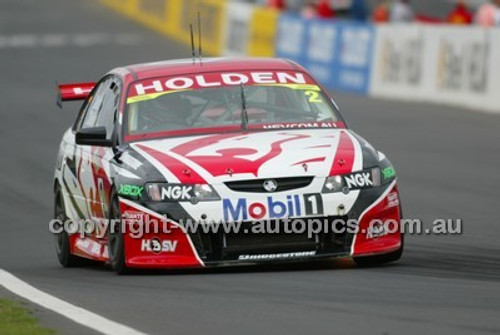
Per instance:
(447,159)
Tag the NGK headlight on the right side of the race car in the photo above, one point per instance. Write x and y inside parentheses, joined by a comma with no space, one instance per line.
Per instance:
(354,181)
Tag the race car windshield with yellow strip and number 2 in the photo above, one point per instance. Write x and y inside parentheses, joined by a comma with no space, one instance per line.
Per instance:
(187,108)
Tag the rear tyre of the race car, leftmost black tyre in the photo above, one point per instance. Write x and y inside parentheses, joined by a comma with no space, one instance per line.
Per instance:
(63,249)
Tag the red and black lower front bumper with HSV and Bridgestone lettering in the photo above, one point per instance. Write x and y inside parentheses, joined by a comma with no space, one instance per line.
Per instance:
(175,247)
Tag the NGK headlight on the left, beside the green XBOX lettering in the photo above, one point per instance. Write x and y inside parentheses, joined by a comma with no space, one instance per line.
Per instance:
(181,192)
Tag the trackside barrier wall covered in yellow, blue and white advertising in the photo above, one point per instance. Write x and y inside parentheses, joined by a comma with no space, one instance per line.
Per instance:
(434,63)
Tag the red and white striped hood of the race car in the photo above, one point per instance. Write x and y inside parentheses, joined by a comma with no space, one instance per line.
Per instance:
(253,155)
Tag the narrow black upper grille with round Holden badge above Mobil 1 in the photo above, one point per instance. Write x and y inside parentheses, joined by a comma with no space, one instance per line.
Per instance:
(257,185)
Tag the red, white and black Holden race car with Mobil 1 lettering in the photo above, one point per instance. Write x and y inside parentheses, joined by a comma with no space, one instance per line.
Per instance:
(228,161)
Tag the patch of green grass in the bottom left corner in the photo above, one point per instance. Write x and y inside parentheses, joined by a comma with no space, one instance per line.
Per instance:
(16,319)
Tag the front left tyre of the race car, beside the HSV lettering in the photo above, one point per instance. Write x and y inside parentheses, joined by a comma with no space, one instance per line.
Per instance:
(116,248)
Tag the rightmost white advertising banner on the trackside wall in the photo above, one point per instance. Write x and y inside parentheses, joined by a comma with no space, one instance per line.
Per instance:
(463,60)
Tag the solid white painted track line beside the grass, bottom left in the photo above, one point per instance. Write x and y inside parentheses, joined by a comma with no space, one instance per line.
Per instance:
(72,312)
